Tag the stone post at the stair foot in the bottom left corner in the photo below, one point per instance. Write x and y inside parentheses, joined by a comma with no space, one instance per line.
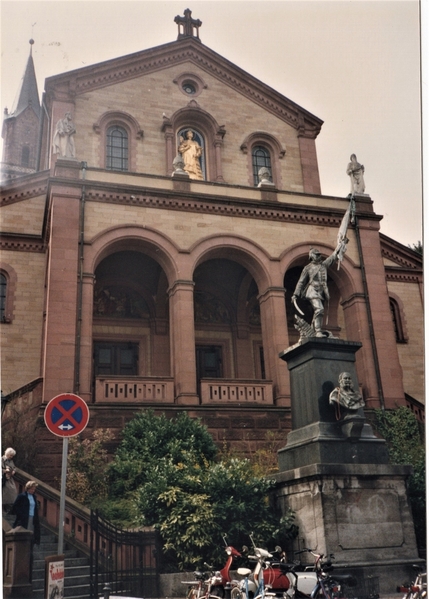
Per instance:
(17,563)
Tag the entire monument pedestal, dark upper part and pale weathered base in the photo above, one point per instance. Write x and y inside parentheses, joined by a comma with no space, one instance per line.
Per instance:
(334,474)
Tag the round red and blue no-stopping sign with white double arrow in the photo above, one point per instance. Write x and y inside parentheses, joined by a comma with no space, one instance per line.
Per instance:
(66,415)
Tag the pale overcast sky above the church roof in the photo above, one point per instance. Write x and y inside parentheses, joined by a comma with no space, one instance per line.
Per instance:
(354,64)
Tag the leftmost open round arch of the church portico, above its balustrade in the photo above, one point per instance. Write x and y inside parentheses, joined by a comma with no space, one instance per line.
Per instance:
(130,316)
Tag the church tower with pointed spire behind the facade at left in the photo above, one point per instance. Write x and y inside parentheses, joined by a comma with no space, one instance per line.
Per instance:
(21,126)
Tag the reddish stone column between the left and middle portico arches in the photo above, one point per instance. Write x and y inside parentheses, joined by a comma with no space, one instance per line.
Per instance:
(182,338)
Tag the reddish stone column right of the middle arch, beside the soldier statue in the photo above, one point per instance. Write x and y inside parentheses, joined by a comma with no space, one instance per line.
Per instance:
(275,338)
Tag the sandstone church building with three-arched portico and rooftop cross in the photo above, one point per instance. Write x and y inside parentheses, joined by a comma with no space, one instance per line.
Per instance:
(146,263)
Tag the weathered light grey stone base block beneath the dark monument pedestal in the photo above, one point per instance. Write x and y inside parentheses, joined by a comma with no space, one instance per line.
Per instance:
(358,512)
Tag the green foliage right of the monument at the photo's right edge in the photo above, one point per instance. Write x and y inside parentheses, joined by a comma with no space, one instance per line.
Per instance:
(405,442)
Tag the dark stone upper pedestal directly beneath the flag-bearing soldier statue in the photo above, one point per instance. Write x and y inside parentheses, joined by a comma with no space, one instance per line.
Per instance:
(317,436)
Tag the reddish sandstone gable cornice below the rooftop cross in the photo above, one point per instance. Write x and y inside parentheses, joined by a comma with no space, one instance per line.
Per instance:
(189,49)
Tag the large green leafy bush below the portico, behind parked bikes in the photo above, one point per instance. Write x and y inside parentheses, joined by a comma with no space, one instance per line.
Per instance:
(167,472)
